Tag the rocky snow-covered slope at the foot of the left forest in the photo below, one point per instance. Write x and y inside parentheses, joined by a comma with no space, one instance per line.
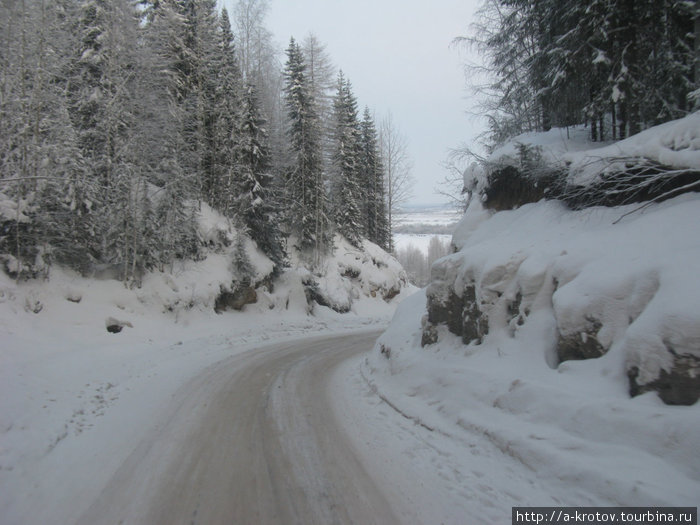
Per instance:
(233,274)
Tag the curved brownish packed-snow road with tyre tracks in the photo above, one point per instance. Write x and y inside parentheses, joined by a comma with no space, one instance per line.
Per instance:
(253,440)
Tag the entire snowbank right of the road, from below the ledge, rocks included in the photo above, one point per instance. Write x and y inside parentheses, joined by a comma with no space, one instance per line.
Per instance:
(533,335)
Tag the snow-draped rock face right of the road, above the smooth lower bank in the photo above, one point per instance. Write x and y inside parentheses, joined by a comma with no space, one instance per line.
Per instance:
(628,289)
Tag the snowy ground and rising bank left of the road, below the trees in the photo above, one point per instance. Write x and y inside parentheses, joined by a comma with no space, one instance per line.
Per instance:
(75,398)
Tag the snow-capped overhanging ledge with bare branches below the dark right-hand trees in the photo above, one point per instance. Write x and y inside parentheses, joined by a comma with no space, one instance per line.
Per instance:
(656,164)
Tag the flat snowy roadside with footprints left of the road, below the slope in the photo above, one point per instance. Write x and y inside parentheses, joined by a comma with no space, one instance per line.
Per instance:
(74,398)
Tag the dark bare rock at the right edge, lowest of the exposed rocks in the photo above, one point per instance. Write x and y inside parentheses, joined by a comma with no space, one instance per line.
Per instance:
(680,386)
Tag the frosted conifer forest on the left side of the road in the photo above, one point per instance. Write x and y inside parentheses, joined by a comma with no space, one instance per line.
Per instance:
(119,119)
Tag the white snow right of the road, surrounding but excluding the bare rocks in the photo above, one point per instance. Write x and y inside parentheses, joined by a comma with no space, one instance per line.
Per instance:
(507,427)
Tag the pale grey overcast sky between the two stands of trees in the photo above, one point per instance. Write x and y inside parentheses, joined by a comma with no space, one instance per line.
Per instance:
(397,55)
